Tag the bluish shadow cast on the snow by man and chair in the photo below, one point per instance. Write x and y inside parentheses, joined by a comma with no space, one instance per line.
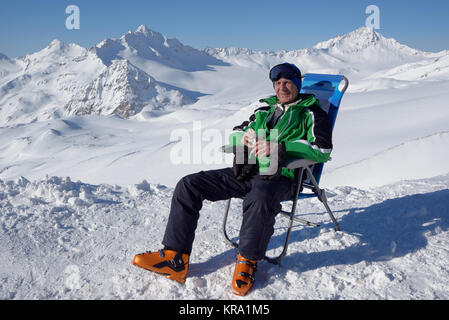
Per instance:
(386,230)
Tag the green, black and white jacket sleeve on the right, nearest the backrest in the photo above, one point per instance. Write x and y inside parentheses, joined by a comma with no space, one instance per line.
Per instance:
(316,144)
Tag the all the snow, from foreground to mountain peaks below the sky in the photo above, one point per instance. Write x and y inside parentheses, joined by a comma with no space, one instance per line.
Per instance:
(90,141)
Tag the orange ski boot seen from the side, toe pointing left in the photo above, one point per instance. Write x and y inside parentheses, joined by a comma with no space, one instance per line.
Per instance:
(171,264)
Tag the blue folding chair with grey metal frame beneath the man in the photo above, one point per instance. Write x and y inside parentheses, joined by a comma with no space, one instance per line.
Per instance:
(329,90)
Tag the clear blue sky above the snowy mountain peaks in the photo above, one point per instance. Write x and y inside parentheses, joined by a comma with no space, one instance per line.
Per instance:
(29,25)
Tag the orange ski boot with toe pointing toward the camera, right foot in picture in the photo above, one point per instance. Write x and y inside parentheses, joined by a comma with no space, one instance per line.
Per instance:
(243,279)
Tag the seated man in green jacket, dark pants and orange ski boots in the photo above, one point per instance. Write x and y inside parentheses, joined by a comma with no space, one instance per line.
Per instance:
(288,125)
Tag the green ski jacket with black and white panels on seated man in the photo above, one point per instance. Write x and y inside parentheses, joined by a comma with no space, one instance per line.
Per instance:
(304,129)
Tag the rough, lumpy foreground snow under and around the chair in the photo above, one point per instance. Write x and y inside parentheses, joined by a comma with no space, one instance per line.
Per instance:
(70,240)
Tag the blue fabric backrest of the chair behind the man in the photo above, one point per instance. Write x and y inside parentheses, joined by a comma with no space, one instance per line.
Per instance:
(329,90)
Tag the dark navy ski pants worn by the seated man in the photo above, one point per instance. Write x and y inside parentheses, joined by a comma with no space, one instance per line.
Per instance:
(262,201)
